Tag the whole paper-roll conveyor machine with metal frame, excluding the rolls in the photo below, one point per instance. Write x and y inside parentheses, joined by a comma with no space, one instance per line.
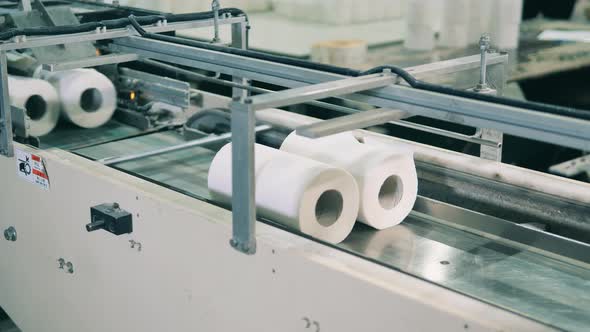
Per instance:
(113,228)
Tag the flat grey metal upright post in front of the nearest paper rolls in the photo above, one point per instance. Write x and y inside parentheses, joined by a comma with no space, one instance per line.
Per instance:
(243,181)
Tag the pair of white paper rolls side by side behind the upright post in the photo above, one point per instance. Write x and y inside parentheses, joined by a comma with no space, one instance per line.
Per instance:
(320,187)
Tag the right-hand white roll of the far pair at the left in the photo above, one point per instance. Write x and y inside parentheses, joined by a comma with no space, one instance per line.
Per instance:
(88,98)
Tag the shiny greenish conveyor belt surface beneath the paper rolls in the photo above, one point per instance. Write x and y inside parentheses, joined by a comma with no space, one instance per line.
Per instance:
(515,277)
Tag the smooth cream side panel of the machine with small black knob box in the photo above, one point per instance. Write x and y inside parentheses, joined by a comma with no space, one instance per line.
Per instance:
(177,272)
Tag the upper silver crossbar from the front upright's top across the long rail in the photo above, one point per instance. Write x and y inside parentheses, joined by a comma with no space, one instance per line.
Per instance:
(319,91)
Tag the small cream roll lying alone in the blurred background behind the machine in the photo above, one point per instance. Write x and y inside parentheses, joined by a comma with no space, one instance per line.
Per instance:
(343,53)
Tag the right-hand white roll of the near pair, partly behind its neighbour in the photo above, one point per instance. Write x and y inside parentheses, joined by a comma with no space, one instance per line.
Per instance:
(386,179)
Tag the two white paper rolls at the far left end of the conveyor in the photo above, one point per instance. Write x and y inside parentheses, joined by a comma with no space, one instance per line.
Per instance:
(84,97)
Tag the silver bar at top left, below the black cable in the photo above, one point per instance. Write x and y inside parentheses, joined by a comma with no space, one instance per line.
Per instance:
(32,42)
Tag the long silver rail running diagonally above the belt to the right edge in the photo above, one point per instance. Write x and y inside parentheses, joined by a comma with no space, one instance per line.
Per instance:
(540,126)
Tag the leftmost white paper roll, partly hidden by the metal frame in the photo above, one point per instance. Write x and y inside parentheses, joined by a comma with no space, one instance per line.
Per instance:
(39,100)
